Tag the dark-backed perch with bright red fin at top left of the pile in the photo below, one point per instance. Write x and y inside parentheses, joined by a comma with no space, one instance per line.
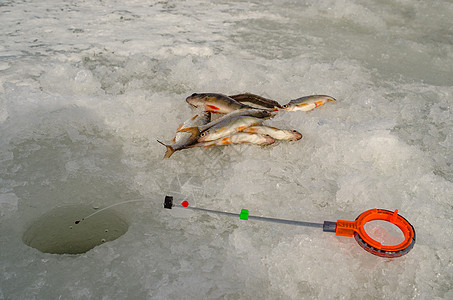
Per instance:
(216,103)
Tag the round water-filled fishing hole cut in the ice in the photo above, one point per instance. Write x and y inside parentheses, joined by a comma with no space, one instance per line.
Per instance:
(56,231)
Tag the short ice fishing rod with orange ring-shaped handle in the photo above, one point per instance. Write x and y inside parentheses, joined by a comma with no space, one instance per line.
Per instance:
(354,228)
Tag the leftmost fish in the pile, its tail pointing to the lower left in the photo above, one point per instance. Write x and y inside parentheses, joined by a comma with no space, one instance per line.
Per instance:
(185,135)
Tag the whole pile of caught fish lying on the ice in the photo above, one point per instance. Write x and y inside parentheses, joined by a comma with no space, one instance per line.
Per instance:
(224,120)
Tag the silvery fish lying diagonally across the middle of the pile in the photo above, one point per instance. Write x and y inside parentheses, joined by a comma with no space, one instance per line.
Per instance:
(228,127)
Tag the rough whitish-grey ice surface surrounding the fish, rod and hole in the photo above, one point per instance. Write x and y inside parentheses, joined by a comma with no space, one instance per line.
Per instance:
(87,87)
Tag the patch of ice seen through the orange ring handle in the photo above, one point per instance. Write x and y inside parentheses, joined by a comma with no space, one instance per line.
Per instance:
(384,232)
